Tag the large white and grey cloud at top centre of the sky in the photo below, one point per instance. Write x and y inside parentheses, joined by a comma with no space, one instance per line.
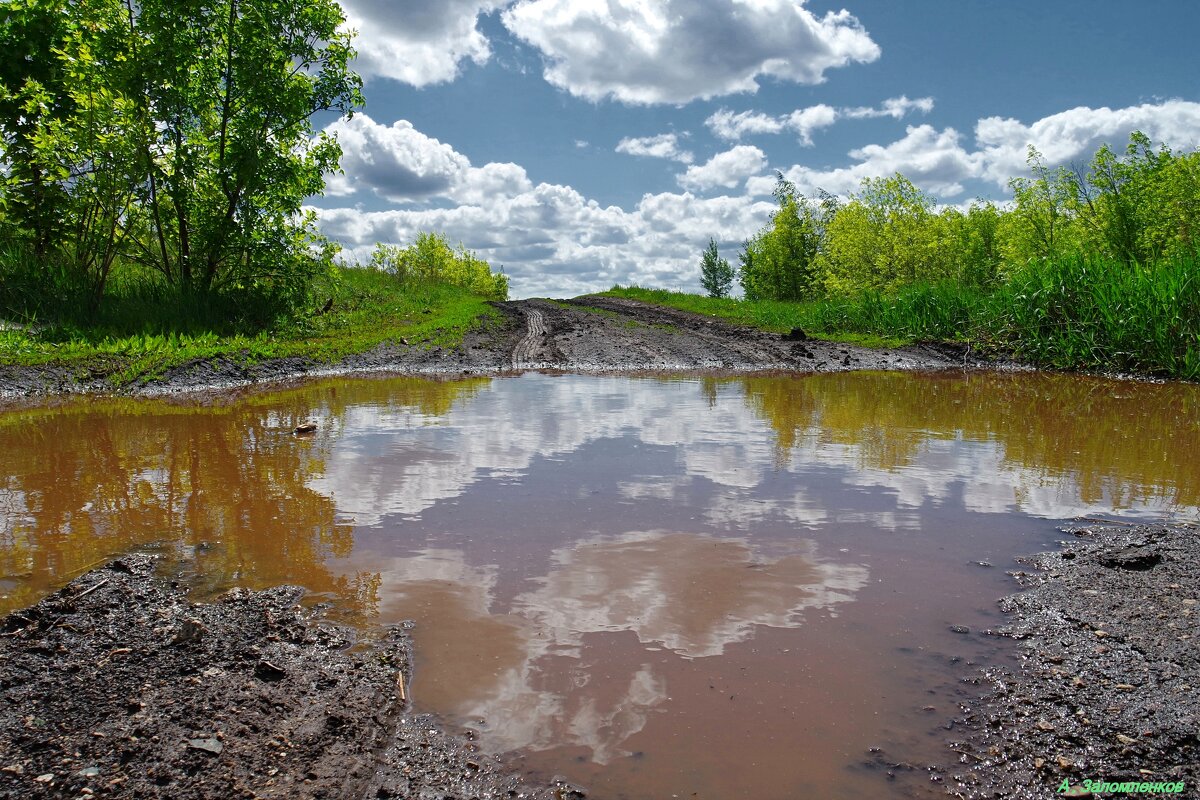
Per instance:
(680,51)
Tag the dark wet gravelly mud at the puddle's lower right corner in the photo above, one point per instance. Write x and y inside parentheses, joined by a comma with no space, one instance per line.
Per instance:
(1109,683)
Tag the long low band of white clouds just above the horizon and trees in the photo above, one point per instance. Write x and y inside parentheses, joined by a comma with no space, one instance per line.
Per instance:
(553,239)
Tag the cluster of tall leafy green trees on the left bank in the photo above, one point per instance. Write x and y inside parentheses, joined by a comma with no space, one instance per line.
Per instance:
(176,136)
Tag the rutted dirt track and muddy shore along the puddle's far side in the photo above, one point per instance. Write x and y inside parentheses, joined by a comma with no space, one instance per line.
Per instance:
(584,335)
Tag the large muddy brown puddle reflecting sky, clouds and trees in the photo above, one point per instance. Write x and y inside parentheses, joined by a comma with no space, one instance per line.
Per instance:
(691,588)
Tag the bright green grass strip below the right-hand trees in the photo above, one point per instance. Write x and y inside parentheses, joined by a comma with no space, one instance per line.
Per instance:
(1065,314)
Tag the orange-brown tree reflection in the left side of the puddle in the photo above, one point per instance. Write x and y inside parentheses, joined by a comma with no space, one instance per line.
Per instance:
(224,485)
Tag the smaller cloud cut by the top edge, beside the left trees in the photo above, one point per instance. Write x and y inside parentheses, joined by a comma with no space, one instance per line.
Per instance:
(419,43)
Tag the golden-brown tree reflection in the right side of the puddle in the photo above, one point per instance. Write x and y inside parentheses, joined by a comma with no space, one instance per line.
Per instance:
(1130,441)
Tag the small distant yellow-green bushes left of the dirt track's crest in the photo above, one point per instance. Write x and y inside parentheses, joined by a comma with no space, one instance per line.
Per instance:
(431,260)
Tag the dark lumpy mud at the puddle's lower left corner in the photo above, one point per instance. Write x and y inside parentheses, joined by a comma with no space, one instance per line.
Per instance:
(119,687)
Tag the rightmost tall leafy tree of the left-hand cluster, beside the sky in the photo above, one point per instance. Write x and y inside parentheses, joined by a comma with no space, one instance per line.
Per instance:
(231,154)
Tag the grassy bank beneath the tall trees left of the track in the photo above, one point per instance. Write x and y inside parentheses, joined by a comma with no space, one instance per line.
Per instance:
(141,333)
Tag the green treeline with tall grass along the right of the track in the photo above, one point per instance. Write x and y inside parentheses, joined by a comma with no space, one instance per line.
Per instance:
(1096,267)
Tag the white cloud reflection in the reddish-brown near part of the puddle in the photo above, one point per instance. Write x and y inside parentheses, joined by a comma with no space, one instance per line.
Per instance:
(529,672)
